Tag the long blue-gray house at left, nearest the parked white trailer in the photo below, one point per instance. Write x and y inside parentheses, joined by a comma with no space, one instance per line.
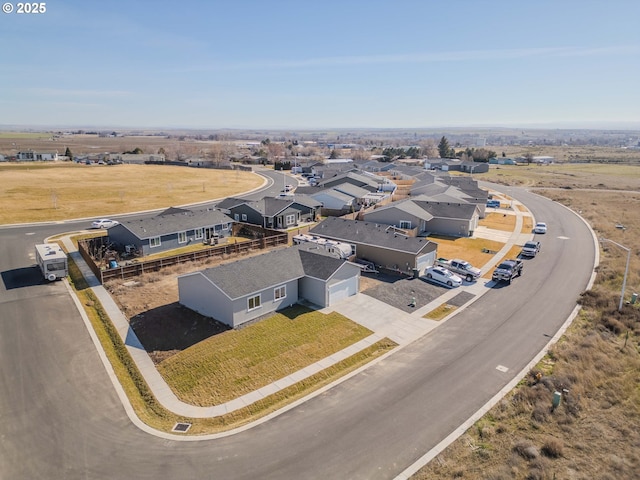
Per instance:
(171,229)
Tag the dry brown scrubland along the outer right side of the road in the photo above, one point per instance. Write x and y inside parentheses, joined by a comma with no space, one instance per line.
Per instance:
(595,433)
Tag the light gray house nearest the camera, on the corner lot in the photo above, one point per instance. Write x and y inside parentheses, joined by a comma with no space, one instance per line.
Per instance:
(240,291)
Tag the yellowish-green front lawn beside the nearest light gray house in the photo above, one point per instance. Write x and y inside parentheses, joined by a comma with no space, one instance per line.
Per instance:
(237,362)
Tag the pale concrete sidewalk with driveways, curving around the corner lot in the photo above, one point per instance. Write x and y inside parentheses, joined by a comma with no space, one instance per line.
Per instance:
(382,319)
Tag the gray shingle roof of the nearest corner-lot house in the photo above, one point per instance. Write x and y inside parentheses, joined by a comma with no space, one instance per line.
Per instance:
(250,275)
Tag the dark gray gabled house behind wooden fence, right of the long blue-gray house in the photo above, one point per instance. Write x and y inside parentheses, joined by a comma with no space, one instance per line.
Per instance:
(272,212)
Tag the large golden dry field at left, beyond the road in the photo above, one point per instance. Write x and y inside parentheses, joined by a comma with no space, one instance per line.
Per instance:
(48,191)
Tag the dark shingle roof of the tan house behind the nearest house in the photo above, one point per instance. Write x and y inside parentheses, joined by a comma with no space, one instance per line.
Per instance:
(369,233)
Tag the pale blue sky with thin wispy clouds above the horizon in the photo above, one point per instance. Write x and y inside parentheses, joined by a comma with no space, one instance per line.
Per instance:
(322,64)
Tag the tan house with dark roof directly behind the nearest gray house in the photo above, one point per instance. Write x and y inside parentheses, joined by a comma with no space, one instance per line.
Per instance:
(383,245)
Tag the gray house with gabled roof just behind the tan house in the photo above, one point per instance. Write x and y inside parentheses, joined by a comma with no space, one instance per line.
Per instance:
(425,217)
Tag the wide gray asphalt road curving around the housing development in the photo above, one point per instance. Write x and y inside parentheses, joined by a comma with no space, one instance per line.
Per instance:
(60,417)
